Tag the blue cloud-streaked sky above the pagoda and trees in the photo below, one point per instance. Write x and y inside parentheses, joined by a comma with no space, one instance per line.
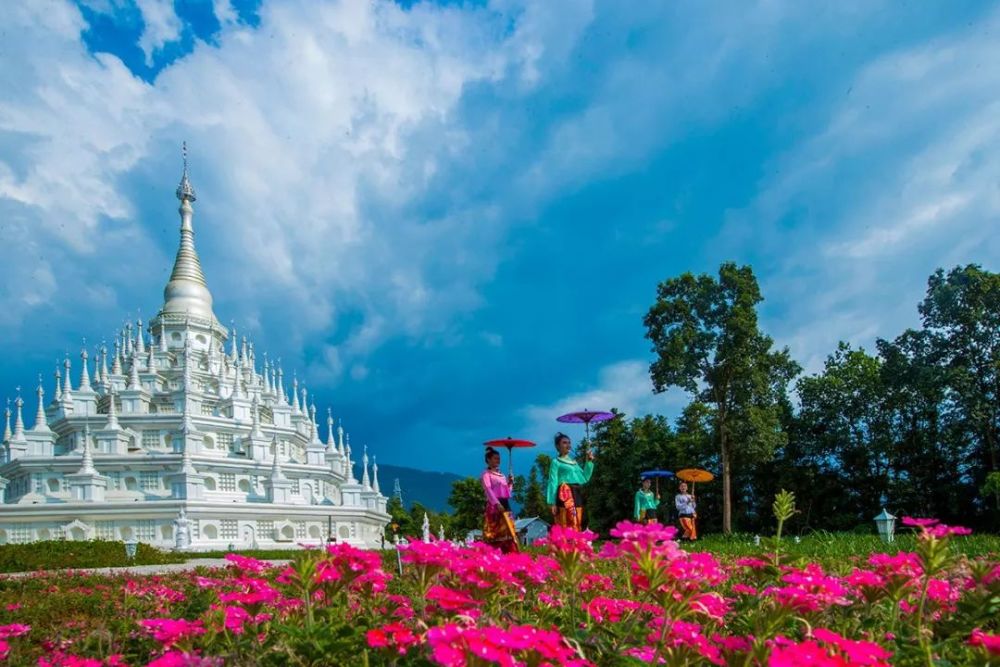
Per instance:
(451,217)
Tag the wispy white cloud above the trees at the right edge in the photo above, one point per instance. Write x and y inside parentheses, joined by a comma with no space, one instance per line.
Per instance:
(901,180)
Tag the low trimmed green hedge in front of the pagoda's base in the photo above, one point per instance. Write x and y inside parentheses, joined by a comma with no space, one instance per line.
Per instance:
(62,554)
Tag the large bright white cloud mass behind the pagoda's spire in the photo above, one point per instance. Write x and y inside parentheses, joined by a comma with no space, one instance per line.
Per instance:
(310,138)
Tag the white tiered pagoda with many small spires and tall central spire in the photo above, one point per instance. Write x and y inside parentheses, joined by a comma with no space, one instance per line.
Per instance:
(180,439)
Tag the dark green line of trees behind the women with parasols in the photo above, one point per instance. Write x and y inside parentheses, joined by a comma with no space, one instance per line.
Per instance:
(912,424)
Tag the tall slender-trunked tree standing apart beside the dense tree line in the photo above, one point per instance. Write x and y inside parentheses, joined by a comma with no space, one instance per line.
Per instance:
(707,341)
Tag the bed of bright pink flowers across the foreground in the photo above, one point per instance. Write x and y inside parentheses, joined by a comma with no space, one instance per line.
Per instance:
(638,599)
